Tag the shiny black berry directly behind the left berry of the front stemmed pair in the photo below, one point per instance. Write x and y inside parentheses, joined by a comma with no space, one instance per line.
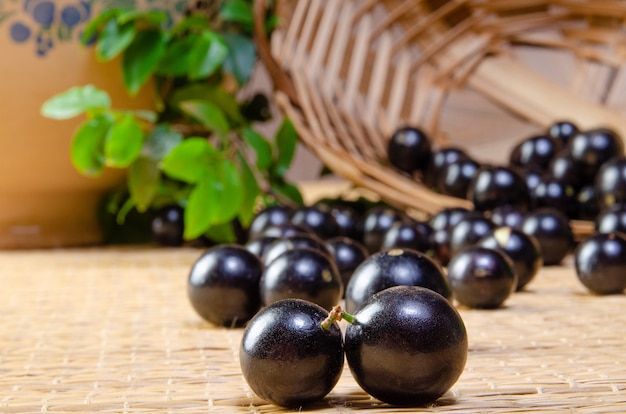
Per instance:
(302,273)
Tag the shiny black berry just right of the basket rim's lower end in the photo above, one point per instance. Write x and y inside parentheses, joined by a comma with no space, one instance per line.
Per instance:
(495,186)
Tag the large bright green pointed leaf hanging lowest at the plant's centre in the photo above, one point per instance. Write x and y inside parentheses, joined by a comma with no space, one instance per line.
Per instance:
(216,199)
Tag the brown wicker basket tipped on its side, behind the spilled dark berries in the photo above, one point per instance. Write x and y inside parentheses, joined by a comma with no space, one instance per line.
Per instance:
(479,74)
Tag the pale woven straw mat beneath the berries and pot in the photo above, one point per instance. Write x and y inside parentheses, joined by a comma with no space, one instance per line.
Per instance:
(111,330)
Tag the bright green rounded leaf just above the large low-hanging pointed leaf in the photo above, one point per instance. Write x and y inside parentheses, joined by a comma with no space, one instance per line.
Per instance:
(190,160)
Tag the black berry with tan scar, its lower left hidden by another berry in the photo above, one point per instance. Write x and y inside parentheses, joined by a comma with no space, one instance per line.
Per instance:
(522,249)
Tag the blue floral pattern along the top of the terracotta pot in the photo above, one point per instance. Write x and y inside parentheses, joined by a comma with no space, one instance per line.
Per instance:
(41,24)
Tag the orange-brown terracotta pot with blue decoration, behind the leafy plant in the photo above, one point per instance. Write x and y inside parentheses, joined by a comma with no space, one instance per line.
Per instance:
(44,202)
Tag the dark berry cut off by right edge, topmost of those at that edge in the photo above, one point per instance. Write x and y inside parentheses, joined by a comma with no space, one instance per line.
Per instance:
(610,182)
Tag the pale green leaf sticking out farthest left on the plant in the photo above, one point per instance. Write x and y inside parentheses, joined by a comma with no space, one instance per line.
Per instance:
(75,101)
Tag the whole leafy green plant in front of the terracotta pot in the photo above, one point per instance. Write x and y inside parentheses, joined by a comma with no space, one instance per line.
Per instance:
(199,146)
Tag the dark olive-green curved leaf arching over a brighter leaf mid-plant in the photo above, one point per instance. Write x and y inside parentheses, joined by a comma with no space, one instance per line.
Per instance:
(216,94)
